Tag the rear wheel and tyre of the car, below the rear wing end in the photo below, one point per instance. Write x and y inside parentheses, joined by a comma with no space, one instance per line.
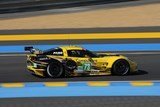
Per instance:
(55,69)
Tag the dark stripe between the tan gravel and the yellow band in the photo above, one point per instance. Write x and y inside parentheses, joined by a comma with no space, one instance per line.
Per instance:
(83,30)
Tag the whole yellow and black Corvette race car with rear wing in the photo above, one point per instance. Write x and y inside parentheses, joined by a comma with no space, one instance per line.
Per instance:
(66,61)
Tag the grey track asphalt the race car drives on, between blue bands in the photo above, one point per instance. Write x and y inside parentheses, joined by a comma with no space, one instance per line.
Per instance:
(13,69)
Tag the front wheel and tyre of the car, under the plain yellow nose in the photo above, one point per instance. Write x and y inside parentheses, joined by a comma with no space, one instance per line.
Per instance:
(120,67)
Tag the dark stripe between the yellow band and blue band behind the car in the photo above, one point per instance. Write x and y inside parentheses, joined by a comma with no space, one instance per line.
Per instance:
(72,42)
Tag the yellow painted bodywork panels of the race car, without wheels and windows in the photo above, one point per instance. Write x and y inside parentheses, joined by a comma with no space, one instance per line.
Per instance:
(103,63)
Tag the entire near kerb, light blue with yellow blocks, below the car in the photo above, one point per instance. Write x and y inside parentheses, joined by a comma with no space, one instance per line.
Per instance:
(76,89)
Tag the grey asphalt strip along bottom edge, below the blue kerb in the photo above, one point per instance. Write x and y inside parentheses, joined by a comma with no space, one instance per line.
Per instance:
(147,101)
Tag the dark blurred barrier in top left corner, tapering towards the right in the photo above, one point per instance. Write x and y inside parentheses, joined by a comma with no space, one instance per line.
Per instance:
(9,6)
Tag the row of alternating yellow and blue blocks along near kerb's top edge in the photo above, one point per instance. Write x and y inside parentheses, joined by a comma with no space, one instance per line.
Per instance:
(88,84)
